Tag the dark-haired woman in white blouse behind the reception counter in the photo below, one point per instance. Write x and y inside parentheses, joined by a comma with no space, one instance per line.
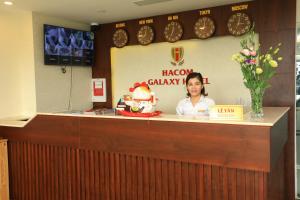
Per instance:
(196,102)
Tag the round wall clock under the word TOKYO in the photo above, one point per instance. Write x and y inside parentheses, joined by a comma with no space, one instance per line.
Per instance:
(204,27)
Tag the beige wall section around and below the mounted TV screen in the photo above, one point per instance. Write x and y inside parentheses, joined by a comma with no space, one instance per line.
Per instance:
(52,86)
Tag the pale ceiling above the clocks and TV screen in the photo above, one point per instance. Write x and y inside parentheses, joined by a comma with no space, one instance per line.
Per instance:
(106,11)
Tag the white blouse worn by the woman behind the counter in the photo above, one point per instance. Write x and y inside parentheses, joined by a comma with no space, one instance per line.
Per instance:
(185,106)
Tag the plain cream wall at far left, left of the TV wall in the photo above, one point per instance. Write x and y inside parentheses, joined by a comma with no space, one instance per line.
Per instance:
(17,83)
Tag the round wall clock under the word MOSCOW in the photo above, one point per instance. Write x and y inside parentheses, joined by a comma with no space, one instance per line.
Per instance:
(239,24)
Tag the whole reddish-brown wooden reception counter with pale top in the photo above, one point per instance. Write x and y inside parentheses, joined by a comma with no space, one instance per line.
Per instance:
(57,156)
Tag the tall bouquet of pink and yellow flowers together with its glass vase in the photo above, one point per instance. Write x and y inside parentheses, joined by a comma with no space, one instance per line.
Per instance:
(257,69)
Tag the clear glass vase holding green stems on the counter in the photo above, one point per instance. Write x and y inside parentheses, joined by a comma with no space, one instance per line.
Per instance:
(256,103)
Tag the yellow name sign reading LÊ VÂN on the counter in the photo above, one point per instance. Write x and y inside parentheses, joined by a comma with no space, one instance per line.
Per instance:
(226,112)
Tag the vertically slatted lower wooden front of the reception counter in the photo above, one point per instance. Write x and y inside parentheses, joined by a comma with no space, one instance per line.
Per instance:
(56,172)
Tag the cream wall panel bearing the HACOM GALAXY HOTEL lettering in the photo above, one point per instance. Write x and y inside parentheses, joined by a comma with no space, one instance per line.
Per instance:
(211,57)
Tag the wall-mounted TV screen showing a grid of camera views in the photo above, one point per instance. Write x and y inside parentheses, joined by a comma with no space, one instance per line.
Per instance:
(65,46)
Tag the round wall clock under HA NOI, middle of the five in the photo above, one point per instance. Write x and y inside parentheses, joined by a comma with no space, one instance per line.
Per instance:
(173,31)
